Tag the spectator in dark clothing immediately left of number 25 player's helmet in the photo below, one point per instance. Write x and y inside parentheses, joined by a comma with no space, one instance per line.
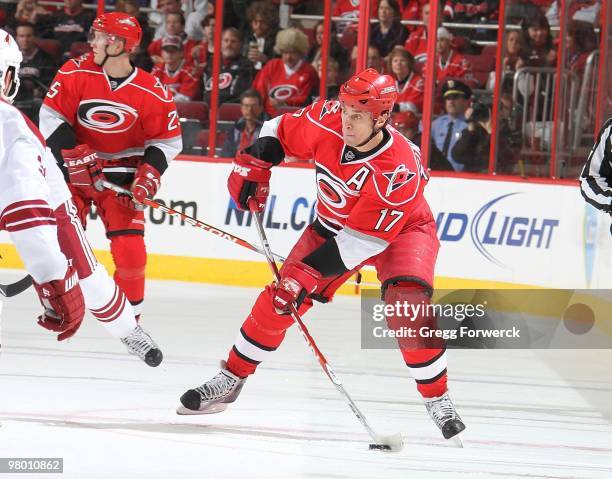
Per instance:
(71,24)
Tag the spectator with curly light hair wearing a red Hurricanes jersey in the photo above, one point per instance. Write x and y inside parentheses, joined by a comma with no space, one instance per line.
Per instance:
(287,81)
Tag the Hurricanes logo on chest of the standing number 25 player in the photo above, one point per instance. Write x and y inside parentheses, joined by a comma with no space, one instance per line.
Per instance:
(106,116)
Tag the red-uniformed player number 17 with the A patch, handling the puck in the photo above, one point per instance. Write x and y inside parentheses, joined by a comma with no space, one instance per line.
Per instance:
(370,210)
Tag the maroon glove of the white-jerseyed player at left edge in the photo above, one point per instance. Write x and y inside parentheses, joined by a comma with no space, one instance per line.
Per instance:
(64,305)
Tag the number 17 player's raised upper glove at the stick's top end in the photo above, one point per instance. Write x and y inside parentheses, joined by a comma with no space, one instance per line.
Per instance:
(250,178)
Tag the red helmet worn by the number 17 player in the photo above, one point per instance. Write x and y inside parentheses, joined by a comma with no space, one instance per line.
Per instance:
(369,91)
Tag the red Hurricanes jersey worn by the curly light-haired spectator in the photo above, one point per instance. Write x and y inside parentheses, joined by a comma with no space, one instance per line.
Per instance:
(273,82)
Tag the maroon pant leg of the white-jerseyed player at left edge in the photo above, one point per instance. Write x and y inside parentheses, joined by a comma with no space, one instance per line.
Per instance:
(72,240)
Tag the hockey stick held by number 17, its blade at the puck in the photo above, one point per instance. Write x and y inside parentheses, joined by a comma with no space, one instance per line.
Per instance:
(392,443)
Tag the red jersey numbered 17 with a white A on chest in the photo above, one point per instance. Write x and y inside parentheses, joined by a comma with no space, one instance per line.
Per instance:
(366,198)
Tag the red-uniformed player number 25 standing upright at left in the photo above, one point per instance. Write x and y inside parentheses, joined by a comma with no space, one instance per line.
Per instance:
(128,118)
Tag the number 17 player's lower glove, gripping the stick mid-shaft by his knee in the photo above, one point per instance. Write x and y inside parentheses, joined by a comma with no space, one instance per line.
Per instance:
(298,280)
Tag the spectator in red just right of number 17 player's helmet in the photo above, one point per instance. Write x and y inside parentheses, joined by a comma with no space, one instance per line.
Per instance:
(410,84)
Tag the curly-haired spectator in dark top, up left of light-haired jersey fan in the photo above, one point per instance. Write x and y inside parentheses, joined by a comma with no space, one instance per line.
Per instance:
(261,35)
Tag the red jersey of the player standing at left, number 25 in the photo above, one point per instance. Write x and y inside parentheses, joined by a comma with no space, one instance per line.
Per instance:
(117,123)
